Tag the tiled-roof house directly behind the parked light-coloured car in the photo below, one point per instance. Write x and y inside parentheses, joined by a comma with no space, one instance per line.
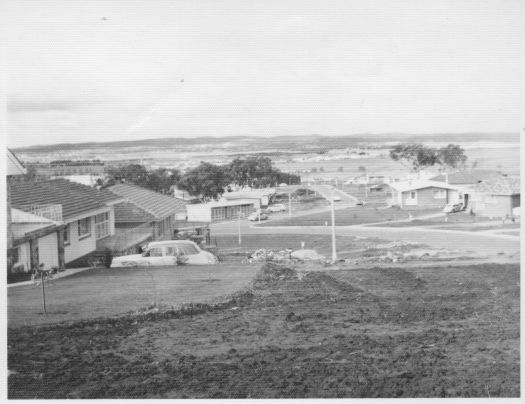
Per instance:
(144,212)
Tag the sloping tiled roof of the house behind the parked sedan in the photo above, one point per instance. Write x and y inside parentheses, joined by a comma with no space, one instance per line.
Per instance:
(158,205)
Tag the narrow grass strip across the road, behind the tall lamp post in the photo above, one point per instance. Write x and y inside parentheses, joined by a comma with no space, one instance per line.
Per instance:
(350,216)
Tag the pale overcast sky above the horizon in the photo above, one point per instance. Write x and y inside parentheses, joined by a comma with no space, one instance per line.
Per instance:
(120,70)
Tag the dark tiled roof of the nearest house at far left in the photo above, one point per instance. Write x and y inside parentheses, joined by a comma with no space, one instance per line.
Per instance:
(76,199)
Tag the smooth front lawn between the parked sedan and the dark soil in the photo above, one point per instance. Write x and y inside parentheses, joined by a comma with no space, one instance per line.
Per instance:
(101,292)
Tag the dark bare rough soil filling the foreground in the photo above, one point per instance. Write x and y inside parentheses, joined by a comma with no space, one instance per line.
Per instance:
(419,332)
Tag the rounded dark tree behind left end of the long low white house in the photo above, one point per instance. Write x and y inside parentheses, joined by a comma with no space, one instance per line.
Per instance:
(207,181)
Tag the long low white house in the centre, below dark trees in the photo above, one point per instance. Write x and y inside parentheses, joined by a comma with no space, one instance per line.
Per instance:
(221,210)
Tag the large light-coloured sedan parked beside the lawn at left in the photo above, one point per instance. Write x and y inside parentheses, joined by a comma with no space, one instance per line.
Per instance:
(170,252)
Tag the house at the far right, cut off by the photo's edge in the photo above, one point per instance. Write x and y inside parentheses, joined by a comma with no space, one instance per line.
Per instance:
(496,198)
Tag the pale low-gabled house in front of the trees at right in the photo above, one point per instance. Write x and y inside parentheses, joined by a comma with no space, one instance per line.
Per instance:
(425,194)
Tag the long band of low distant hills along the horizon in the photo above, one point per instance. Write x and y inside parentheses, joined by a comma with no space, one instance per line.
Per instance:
(297,142)
